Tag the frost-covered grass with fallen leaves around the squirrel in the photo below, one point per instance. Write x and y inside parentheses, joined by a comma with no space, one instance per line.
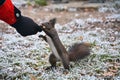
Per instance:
(25,58)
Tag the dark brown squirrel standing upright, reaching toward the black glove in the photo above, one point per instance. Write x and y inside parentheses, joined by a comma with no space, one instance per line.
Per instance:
(76,52)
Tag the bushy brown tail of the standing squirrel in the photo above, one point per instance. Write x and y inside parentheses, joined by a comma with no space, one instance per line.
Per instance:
(78,51)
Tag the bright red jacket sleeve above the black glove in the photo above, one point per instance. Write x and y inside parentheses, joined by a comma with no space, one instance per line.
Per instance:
(7,12)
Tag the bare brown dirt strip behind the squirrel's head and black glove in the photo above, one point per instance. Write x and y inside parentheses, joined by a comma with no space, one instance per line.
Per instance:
(63,17)
